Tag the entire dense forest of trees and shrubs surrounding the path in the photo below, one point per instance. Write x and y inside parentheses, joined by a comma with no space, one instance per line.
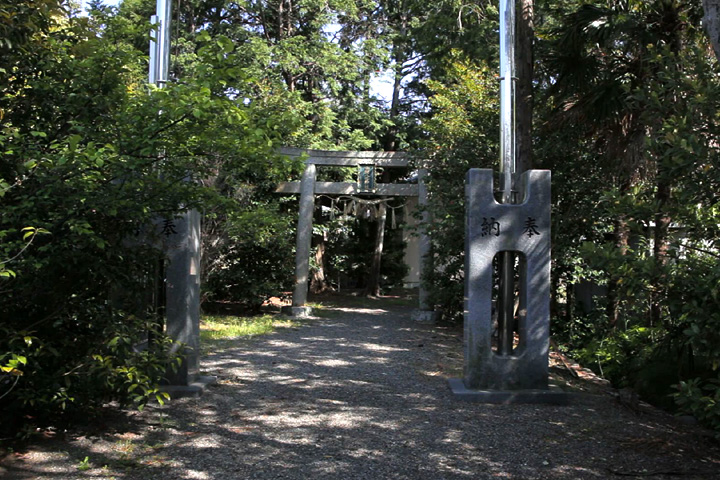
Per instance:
(618,98)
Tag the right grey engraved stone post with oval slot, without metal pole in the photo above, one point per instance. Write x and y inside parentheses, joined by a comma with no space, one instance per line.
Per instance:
(491,229)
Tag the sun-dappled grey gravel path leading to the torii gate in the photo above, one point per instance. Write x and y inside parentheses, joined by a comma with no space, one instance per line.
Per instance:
(361,393)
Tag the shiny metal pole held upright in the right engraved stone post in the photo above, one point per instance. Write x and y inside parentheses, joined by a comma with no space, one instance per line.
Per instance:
(506,299)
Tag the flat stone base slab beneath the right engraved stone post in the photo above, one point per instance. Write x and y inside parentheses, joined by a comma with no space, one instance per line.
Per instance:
(551,396)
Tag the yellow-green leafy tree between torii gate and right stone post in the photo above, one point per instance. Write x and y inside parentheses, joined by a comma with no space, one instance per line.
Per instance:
(462,134)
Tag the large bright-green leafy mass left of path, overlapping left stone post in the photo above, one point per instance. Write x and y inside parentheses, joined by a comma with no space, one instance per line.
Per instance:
(90,157)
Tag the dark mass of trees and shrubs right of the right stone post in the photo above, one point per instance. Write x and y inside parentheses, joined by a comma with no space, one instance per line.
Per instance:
(642,219)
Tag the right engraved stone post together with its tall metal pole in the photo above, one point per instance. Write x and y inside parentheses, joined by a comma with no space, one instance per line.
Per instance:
(516,232)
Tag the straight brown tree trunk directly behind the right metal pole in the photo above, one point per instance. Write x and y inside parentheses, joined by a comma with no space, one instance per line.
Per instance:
(524,87)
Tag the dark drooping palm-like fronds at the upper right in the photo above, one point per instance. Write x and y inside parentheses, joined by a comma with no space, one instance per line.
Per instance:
(600,56)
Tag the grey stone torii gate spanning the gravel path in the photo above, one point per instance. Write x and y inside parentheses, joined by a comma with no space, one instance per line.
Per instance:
(308,187)
